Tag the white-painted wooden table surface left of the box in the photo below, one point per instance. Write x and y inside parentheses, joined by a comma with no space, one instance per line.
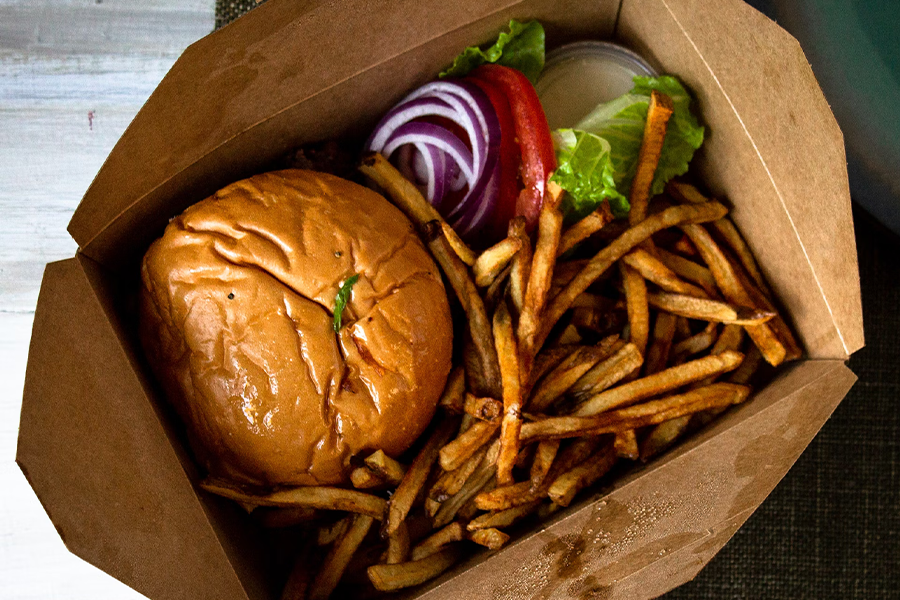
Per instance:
(73,73)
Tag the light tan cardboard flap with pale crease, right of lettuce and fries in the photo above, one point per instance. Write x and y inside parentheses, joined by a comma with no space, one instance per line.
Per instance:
(773,149)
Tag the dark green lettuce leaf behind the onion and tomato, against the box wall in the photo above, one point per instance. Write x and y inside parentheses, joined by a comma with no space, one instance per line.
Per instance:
(522,48)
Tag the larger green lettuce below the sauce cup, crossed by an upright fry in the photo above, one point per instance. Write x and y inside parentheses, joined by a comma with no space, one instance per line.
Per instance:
(592,172)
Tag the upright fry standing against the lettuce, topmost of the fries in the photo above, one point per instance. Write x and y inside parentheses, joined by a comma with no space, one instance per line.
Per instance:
(658,113)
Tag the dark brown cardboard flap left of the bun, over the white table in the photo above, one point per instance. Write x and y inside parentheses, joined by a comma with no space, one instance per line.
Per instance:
(102,464)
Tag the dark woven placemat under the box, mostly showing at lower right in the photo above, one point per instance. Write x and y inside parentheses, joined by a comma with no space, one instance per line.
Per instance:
(831,529)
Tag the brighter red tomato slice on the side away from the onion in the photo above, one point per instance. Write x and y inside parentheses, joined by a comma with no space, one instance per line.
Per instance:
(538,160)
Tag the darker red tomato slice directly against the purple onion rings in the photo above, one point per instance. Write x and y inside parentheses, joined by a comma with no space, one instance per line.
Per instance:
(510,157)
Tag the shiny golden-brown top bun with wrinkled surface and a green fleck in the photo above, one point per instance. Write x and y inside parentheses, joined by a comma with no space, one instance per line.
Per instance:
(237,306)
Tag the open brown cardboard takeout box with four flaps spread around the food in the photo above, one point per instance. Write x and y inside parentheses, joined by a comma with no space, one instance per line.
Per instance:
(106,458)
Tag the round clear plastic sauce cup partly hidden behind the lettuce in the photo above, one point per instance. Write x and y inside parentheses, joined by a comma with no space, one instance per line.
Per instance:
(579,76)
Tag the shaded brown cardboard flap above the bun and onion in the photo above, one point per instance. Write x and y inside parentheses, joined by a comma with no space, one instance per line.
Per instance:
(285,74)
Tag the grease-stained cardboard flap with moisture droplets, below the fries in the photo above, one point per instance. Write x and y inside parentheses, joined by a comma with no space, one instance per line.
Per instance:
(657,526)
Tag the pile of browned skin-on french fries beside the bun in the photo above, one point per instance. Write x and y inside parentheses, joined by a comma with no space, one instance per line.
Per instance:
(570,365)
